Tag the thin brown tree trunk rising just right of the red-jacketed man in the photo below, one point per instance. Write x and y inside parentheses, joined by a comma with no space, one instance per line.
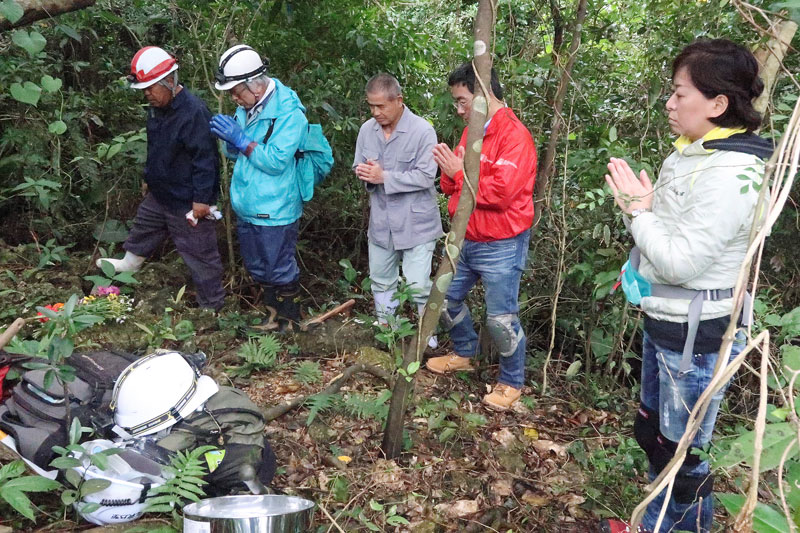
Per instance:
(545,169)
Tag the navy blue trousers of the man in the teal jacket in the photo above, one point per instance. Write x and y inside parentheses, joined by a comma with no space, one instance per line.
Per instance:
(268,252)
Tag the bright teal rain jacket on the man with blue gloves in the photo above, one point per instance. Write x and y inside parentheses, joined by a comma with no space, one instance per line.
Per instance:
(264,188)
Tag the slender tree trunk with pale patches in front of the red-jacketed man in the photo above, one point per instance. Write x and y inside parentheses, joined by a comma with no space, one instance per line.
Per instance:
(484,26)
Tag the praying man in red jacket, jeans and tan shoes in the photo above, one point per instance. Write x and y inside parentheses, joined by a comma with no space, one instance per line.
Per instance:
(496,244)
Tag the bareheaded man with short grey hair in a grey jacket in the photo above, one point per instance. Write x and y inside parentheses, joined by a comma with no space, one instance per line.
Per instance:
(394,159)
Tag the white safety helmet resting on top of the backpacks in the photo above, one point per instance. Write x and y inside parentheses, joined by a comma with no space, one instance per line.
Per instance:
(156,392)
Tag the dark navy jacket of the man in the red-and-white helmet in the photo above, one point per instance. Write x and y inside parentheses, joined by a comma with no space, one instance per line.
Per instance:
(182,157)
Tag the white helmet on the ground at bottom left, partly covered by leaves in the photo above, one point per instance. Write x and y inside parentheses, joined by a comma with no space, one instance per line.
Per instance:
(131,476)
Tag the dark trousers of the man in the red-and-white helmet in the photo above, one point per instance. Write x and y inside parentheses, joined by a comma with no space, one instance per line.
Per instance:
(196,245)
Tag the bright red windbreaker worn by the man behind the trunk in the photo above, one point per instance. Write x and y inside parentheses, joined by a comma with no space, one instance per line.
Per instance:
(505,193)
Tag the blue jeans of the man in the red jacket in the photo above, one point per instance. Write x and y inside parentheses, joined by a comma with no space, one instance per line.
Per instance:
(499,266)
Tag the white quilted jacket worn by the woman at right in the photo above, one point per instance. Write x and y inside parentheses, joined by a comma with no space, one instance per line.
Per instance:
(697,233)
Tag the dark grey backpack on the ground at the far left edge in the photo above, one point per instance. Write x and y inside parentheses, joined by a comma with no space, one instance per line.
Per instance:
(37,416)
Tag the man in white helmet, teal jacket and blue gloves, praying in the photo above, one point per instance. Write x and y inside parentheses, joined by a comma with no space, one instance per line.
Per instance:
(263,137)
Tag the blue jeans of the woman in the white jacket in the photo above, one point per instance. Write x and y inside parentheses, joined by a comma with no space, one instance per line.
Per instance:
(673,397)
